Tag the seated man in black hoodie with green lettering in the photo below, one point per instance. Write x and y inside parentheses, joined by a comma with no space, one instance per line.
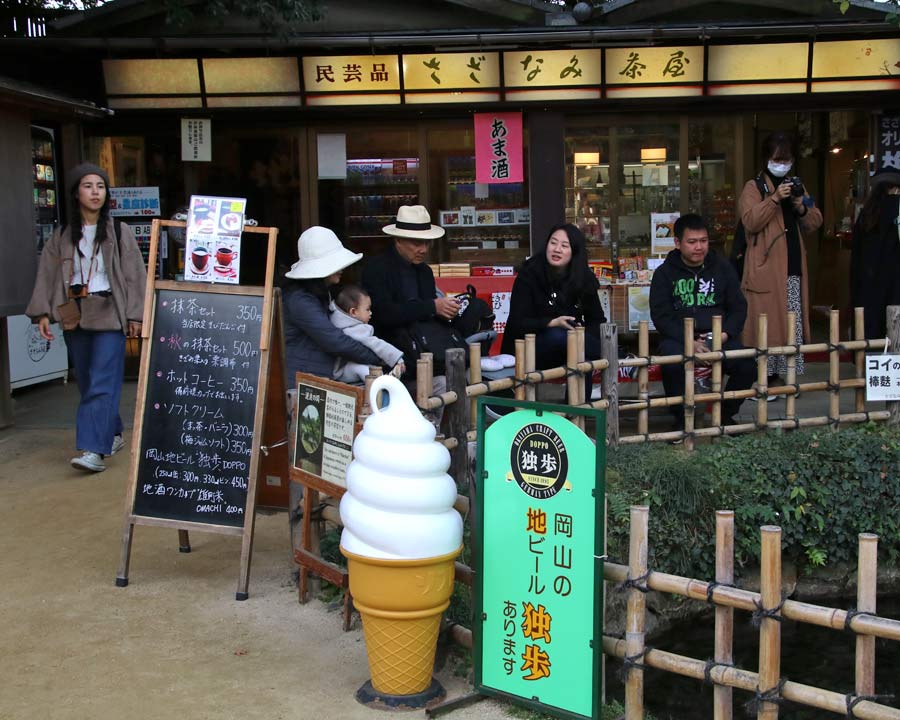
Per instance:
(693,282)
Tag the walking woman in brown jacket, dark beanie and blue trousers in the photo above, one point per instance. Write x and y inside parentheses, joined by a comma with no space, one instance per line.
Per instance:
(91,280)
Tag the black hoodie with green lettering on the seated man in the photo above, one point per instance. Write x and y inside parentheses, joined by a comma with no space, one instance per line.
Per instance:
(679,291)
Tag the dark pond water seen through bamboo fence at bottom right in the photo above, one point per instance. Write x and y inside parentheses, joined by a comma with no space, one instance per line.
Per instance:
(809,654)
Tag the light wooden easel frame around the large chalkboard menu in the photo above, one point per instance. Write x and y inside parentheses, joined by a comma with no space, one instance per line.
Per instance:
(268,321)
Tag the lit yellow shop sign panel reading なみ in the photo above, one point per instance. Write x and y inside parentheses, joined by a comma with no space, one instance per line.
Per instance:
(552,68)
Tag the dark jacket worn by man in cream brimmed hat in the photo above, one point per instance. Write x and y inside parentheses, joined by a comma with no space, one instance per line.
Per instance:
(401,292)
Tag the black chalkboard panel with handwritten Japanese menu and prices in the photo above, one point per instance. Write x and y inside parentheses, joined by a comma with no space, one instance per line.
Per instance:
(198,423)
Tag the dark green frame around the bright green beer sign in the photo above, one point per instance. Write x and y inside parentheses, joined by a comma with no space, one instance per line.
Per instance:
(599,492)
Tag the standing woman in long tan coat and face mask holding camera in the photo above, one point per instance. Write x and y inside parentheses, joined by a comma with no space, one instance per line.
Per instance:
(775,279)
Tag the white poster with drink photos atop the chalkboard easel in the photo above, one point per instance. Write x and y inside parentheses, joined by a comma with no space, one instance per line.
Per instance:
(213,242)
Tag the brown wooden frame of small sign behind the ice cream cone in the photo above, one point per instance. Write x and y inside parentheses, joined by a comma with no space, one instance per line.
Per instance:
(305,555)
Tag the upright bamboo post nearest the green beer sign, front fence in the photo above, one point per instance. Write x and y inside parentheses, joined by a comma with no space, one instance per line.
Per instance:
(635,612)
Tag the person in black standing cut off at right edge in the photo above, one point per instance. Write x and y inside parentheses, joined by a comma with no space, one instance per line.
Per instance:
(875,258)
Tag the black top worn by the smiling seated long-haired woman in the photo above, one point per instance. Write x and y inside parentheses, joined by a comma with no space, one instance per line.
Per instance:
(538,297)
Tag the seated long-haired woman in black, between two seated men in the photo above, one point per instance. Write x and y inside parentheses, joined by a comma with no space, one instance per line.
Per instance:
(555,291)
